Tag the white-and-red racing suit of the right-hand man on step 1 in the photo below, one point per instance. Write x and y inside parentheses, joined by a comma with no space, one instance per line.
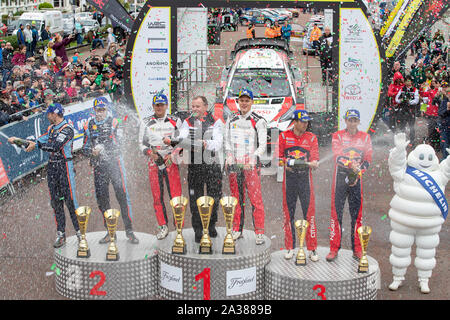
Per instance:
(246,141)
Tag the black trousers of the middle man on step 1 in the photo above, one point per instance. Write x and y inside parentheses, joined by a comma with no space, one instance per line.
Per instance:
(200,175)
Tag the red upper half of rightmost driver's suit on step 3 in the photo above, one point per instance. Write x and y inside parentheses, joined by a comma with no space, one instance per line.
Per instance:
(347,147)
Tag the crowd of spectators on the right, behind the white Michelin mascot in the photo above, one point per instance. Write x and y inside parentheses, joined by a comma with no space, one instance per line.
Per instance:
(422,91)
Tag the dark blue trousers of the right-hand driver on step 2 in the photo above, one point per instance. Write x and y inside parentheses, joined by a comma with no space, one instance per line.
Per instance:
(113,172)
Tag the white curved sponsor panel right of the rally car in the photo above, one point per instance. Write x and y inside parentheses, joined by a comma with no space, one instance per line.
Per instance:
(360,71)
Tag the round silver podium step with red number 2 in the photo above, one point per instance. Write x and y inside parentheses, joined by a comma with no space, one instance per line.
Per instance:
(134,276)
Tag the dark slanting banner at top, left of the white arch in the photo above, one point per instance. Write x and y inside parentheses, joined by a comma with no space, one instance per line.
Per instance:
(115,11)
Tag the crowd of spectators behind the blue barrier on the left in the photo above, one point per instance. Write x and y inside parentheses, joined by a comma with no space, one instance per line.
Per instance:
(30,83)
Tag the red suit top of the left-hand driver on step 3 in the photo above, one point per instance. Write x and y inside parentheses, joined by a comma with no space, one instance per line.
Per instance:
(304,147)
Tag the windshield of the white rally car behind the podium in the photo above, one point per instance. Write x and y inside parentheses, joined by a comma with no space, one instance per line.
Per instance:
(262,82)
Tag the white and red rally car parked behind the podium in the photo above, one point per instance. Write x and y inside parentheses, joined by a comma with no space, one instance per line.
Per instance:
(262,66)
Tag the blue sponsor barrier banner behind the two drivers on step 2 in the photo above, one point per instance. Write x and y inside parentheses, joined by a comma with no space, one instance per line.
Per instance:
(18,163)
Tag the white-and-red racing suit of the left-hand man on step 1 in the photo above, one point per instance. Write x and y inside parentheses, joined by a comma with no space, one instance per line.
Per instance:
(151,133)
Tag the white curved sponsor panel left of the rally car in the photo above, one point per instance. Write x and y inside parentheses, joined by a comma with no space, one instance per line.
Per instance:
(150,66)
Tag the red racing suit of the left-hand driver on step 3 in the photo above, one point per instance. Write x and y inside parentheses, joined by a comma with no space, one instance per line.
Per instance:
(298,183)
